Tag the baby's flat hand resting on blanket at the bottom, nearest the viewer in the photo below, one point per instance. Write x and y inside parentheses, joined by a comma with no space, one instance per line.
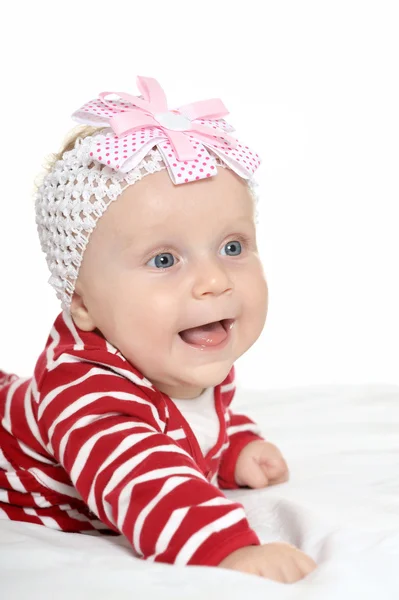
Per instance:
(278,561)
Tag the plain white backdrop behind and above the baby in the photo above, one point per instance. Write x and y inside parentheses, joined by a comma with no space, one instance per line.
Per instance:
(311,86)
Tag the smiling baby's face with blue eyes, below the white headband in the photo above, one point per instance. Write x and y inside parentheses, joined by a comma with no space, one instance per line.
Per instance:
(161,260)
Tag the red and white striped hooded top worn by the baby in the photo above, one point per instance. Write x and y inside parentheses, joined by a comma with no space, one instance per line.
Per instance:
(89,445)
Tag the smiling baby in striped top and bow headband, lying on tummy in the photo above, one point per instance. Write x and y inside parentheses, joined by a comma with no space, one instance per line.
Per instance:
(148,225)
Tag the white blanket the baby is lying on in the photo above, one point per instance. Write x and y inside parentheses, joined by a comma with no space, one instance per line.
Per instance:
(341,506)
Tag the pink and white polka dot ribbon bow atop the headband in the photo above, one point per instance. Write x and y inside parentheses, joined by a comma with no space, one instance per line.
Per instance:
(138,123)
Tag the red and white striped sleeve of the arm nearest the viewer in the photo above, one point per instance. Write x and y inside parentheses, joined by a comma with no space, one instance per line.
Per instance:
(109,437)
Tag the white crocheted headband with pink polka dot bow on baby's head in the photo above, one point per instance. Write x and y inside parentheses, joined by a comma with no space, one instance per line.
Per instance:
(139,135)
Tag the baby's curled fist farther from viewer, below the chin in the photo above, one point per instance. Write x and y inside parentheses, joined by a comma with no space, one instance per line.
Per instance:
(260,464)
